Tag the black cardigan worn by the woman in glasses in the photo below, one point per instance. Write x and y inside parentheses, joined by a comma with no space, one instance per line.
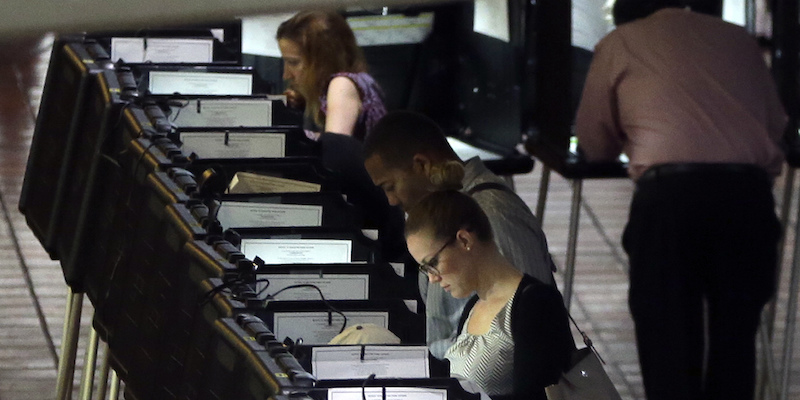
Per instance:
(543,341)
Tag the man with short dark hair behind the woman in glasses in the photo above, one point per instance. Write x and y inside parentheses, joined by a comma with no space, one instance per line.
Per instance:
(408,156)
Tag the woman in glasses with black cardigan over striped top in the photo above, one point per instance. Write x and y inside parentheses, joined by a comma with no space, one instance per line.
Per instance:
(514,337)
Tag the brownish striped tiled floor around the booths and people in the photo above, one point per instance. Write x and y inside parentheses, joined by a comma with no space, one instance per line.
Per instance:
(32,290)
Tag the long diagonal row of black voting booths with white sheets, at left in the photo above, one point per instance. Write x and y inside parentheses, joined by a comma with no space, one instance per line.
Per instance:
(220,247)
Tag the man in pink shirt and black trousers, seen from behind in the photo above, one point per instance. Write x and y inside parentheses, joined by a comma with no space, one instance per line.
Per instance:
(690,100)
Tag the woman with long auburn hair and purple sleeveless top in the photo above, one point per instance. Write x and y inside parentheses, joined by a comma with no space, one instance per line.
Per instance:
(326,70)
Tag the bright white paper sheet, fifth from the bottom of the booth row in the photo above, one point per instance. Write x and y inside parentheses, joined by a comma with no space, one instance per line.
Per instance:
(298,251)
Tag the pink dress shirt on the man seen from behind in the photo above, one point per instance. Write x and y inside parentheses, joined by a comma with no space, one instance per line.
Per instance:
(680,87)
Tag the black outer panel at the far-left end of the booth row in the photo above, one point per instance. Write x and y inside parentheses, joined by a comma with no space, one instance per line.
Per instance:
(73,64)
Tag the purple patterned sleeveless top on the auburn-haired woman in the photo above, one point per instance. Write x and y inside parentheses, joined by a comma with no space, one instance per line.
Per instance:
(372,108)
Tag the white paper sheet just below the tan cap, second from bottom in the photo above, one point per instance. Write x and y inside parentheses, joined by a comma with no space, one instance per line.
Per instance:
(355,362)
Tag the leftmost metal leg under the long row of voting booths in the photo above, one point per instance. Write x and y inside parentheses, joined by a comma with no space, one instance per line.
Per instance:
(69,345)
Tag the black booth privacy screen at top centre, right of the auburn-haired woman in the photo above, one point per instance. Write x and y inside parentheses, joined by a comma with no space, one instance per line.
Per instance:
(469,83)
